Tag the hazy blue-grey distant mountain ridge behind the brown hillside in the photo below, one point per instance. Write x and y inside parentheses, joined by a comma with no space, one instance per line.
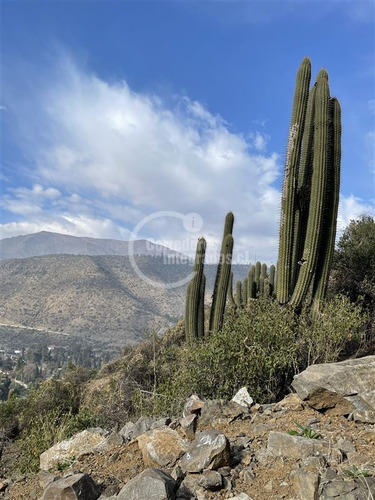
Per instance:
(46,243)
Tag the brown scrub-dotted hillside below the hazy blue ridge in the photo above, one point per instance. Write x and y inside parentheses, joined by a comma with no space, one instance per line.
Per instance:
(98,296)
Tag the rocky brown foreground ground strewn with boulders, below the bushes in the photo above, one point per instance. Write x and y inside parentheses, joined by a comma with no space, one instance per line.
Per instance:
(236,449)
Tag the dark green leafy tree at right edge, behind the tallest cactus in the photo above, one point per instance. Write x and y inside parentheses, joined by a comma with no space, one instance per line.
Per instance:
(354,261)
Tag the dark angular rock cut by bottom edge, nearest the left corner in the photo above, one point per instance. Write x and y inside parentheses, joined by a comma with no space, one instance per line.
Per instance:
(76,486)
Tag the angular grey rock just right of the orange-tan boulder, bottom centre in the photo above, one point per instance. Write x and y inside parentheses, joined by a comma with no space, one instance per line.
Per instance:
(209,450)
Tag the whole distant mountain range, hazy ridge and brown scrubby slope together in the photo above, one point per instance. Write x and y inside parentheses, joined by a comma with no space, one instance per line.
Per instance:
(94,292)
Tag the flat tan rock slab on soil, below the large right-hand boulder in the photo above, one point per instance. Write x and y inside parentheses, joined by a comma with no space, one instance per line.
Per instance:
(285,445)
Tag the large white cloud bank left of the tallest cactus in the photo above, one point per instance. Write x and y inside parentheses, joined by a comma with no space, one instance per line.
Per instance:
(121,155)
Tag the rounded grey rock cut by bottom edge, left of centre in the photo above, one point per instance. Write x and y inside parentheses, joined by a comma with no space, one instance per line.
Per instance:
(151,484)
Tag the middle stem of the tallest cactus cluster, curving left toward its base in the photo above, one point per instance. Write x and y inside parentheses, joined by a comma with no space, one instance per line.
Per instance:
(318,193)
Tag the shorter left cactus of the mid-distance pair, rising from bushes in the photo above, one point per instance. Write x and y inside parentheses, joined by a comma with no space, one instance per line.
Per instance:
(194,314)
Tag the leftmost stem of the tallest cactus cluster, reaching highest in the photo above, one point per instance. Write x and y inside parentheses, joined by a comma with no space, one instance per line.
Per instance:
(288,200)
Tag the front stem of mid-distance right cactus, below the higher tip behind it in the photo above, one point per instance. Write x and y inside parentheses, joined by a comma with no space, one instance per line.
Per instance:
(222,289)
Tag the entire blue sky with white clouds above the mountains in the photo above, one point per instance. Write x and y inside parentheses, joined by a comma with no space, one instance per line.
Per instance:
(130,119)
